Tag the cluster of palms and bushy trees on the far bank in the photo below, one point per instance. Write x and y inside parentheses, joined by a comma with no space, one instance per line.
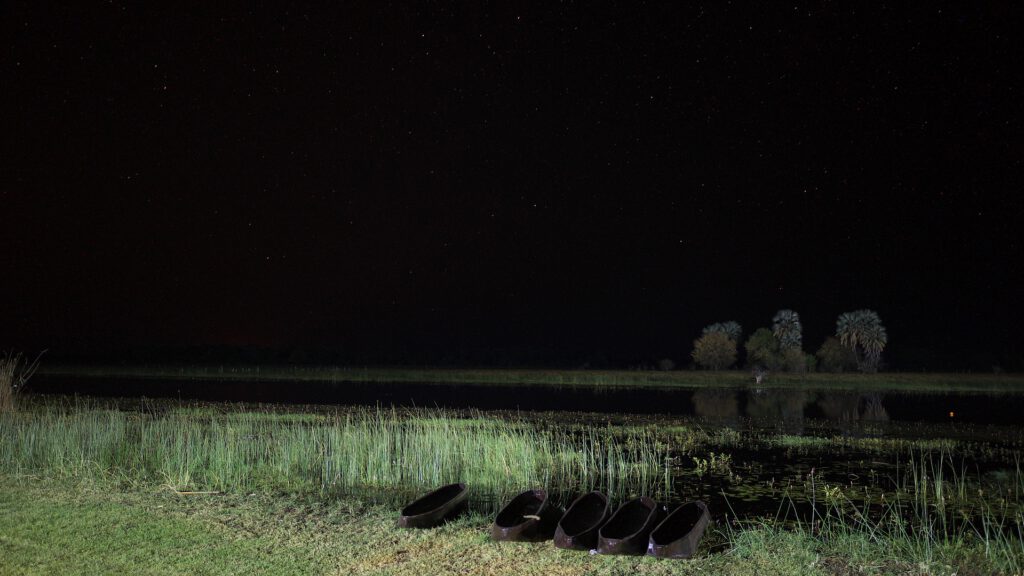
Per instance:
(858,345)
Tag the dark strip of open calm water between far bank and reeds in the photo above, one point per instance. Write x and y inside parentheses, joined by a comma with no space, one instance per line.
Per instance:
(785,407)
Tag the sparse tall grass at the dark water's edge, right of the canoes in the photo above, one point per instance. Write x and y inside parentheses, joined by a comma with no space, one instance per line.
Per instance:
(937,516)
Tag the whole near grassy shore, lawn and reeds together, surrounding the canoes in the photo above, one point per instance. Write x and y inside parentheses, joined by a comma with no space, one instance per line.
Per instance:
(97,488)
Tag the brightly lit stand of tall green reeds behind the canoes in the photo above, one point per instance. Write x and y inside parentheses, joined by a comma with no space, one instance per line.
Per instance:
(377,455)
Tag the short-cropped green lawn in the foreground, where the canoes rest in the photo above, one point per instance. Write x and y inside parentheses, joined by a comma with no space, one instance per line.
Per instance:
(51,527)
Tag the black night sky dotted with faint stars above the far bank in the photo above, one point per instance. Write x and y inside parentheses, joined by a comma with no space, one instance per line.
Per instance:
(487,186)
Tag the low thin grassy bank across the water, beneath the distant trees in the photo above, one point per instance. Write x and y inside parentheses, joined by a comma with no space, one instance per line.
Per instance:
(893,382)
